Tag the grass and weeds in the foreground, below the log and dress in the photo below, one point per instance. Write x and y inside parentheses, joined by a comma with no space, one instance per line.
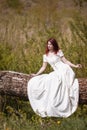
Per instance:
(18,115)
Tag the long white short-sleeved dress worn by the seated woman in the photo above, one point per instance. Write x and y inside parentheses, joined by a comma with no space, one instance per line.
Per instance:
(55,94)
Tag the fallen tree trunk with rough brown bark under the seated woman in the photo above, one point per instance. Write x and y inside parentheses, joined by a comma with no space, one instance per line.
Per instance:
(15,84)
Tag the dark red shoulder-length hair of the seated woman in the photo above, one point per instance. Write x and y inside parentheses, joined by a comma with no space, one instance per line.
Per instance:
(55,45)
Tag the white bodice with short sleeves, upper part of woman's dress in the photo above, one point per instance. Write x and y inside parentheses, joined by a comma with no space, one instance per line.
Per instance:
(52,60)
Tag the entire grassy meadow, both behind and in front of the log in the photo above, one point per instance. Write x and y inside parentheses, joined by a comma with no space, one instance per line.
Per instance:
(25,27)
